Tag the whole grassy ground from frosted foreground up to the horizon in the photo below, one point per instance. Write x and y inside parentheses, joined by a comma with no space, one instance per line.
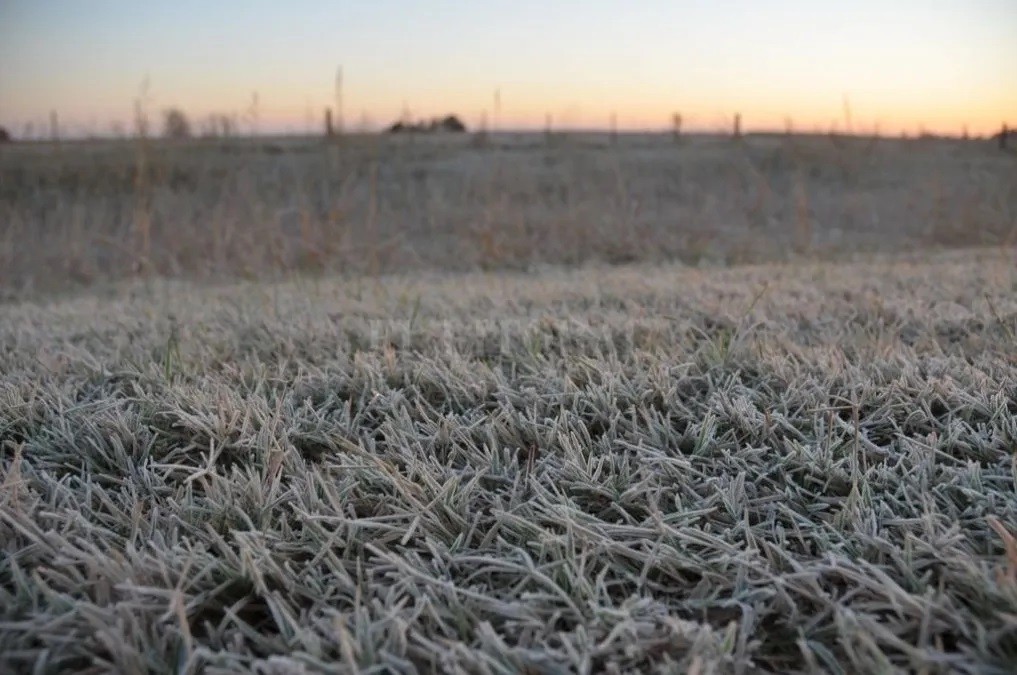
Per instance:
(509,406)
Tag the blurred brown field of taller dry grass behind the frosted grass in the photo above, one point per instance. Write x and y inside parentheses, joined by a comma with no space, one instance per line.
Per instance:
(79,214)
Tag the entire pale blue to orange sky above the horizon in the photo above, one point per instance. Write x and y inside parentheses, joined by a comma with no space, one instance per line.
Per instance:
(937,66)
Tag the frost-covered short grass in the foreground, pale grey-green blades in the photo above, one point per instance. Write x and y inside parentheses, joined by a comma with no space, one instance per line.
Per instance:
(653,470)
